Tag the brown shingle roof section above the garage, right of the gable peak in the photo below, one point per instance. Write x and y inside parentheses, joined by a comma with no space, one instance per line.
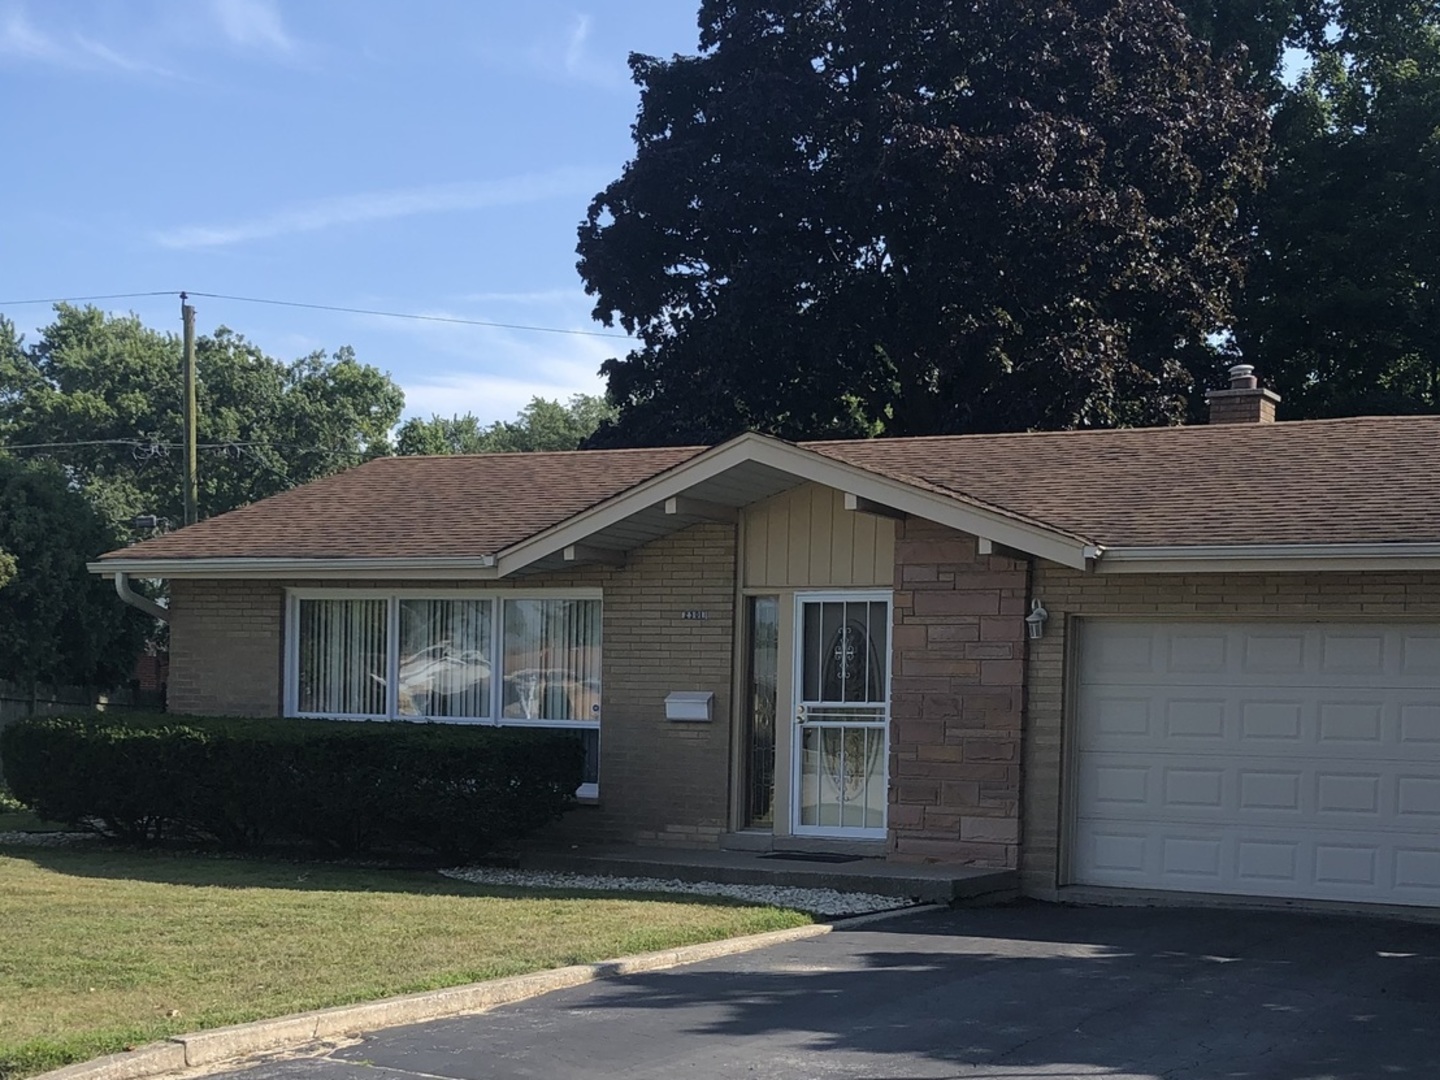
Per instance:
(1362,480)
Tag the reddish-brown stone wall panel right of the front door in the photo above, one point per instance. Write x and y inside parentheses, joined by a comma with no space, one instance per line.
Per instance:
(957,699)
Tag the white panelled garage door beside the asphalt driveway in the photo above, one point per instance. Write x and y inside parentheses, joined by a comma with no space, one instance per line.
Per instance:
(1261,760)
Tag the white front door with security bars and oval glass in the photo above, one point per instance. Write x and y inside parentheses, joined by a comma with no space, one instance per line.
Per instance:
(842,715)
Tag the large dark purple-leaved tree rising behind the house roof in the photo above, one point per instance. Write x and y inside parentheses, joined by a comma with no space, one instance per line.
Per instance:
(909,217)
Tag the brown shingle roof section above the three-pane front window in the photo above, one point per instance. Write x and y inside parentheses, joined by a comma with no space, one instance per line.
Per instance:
(398,508)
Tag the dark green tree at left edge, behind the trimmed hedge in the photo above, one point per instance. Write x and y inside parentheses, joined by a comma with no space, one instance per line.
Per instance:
(58,623)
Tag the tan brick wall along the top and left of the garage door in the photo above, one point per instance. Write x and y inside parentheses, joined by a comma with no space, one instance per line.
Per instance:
(1072,594)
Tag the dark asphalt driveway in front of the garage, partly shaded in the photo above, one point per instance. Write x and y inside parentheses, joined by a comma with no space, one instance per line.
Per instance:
(1023,993)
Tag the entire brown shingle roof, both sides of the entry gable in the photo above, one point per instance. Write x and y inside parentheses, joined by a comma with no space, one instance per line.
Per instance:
(1364,480)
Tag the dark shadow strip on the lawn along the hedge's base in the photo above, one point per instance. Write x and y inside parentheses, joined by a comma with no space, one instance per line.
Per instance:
(267,870)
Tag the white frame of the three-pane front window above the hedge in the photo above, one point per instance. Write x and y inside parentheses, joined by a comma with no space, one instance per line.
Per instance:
(392,598)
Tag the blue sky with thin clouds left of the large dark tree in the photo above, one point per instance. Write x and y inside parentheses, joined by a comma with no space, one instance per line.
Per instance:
(430,156)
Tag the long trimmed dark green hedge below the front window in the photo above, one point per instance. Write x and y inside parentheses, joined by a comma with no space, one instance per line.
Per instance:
(348,787)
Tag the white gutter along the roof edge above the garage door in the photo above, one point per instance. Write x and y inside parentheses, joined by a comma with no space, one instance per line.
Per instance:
(1254,558)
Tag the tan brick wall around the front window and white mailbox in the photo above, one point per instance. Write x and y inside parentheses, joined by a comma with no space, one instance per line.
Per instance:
(662,783)
